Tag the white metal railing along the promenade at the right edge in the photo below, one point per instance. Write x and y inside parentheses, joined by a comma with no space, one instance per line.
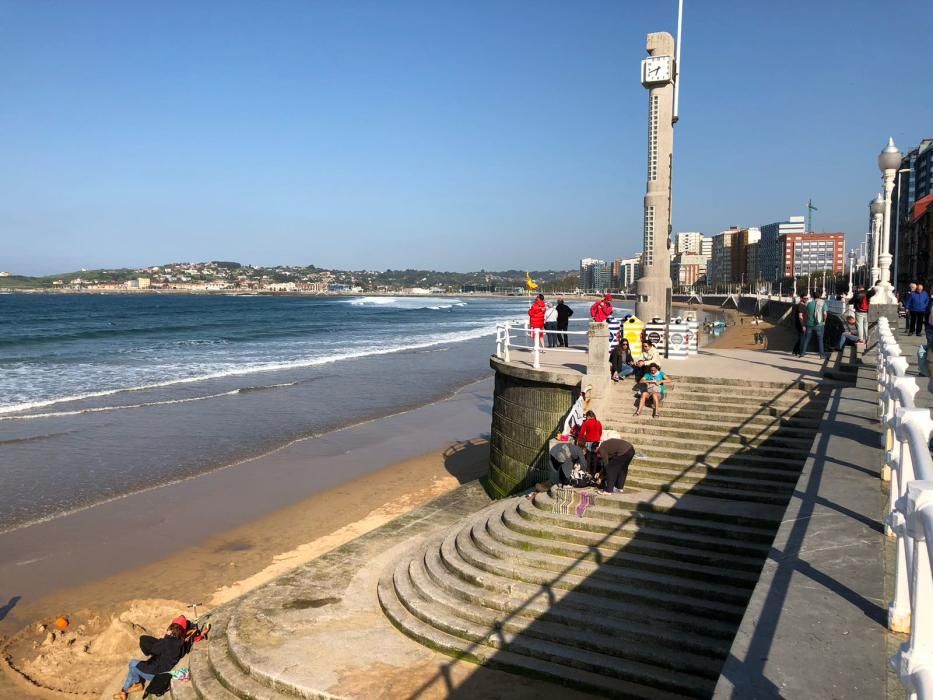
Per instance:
(907,431)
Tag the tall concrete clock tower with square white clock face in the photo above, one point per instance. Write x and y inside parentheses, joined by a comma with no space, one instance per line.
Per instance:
(657,75)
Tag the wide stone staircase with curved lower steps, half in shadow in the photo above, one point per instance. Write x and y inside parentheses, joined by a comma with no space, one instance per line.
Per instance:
(632,595)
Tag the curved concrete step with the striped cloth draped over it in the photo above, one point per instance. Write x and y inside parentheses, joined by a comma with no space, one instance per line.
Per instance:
(670,520)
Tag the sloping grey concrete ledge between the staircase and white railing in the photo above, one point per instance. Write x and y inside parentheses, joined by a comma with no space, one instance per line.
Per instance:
(815,625)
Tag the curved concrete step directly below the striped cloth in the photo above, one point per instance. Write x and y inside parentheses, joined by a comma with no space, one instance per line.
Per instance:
(627,531)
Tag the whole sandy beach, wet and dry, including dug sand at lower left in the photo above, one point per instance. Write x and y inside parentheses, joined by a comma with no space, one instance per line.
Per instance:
(205,561)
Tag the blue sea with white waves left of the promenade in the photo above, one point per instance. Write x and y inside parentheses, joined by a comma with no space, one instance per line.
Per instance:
(105,395)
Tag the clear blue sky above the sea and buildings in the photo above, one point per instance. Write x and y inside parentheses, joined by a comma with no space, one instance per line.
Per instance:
(438,134)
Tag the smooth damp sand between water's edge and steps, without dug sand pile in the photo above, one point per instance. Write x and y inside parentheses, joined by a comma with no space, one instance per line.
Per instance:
(184,541)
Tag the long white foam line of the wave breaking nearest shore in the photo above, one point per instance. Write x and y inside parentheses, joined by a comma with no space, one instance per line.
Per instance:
(456,337)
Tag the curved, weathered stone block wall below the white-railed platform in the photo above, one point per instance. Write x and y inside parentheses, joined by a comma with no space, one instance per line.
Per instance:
(526,414)
